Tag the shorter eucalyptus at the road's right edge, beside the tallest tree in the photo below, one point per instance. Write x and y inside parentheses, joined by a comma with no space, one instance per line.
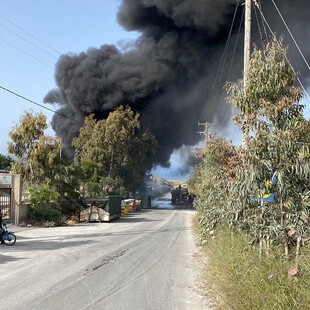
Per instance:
(210,183)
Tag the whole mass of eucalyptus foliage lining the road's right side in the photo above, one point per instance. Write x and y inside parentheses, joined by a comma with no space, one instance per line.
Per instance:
(274,159)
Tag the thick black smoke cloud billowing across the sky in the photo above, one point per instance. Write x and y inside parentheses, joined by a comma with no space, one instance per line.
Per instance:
(168,75)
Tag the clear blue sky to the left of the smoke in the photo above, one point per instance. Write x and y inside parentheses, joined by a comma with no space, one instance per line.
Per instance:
(67,26)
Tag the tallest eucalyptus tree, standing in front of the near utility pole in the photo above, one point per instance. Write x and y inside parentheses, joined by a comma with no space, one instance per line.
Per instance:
(274,157)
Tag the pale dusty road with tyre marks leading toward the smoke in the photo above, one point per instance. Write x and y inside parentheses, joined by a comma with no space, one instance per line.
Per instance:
(142,261)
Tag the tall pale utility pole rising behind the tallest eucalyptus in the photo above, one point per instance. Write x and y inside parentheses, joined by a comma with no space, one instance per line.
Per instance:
(247,55)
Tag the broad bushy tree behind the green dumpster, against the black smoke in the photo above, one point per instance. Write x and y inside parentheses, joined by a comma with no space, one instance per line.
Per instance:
(114,152)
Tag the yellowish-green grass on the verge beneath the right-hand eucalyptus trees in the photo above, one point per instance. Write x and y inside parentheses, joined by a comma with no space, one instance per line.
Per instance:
(234,278)
